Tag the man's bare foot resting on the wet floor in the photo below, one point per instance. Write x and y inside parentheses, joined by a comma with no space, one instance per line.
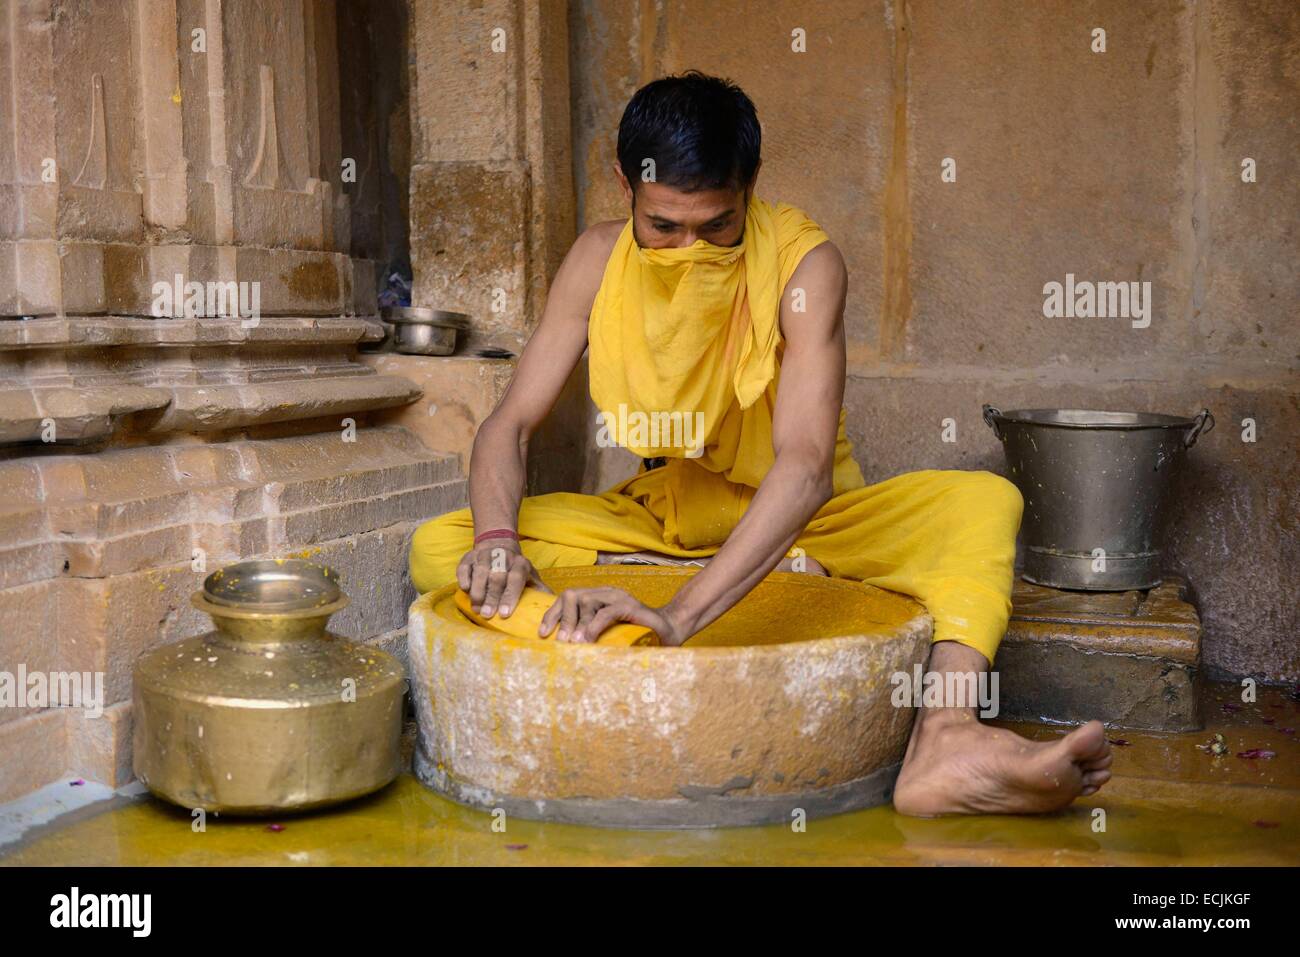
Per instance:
(956,765)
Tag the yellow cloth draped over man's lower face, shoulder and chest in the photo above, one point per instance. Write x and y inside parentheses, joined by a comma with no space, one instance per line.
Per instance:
(686,350)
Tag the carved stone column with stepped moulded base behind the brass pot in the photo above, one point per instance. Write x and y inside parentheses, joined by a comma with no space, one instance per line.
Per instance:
(141,448)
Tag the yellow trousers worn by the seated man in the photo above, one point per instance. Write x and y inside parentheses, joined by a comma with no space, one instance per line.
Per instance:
(944,538)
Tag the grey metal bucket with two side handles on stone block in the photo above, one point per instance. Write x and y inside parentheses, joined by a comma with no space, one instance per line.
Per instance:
(1094,487)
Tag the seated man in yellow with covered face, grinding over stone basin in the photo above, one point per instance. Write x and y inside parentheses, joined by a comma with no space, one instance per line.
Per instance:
(710,308)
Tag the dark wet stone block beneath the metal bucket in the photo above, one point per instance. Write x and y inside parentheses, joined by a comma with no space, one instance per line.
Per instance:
(1130,660)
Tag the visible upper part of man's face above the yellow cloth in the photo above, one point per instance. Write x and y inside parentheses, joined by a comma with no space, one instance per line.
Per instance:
(665,218)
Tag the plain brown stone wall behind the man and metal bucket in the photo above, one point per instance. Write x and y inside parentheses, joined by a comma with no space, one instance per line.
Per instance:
(1124,166)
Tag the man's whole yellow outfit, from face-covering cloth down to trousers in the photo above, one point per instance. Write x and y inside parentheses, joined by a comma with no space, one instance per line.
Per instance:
(684,363)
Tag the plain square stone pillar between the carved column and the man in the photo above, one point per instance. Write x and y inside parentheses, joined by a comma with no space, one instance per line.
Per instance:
(492,200)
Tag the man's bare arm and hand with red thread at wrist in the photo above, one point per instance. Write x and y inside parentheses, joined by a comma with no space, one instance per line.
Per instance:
(500,457)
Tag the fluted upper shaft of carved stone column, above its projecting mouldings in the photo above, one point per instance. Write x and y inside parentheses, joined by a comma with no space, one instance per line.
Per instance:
(164,138)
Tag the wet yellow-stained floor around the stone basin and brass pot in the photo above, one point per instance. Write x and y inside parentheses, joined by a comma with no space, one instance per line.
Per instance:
(1171,803)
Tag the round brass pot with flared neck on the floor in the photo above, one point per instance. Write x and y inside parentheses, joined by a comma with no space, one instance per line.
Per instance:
(270,712)
